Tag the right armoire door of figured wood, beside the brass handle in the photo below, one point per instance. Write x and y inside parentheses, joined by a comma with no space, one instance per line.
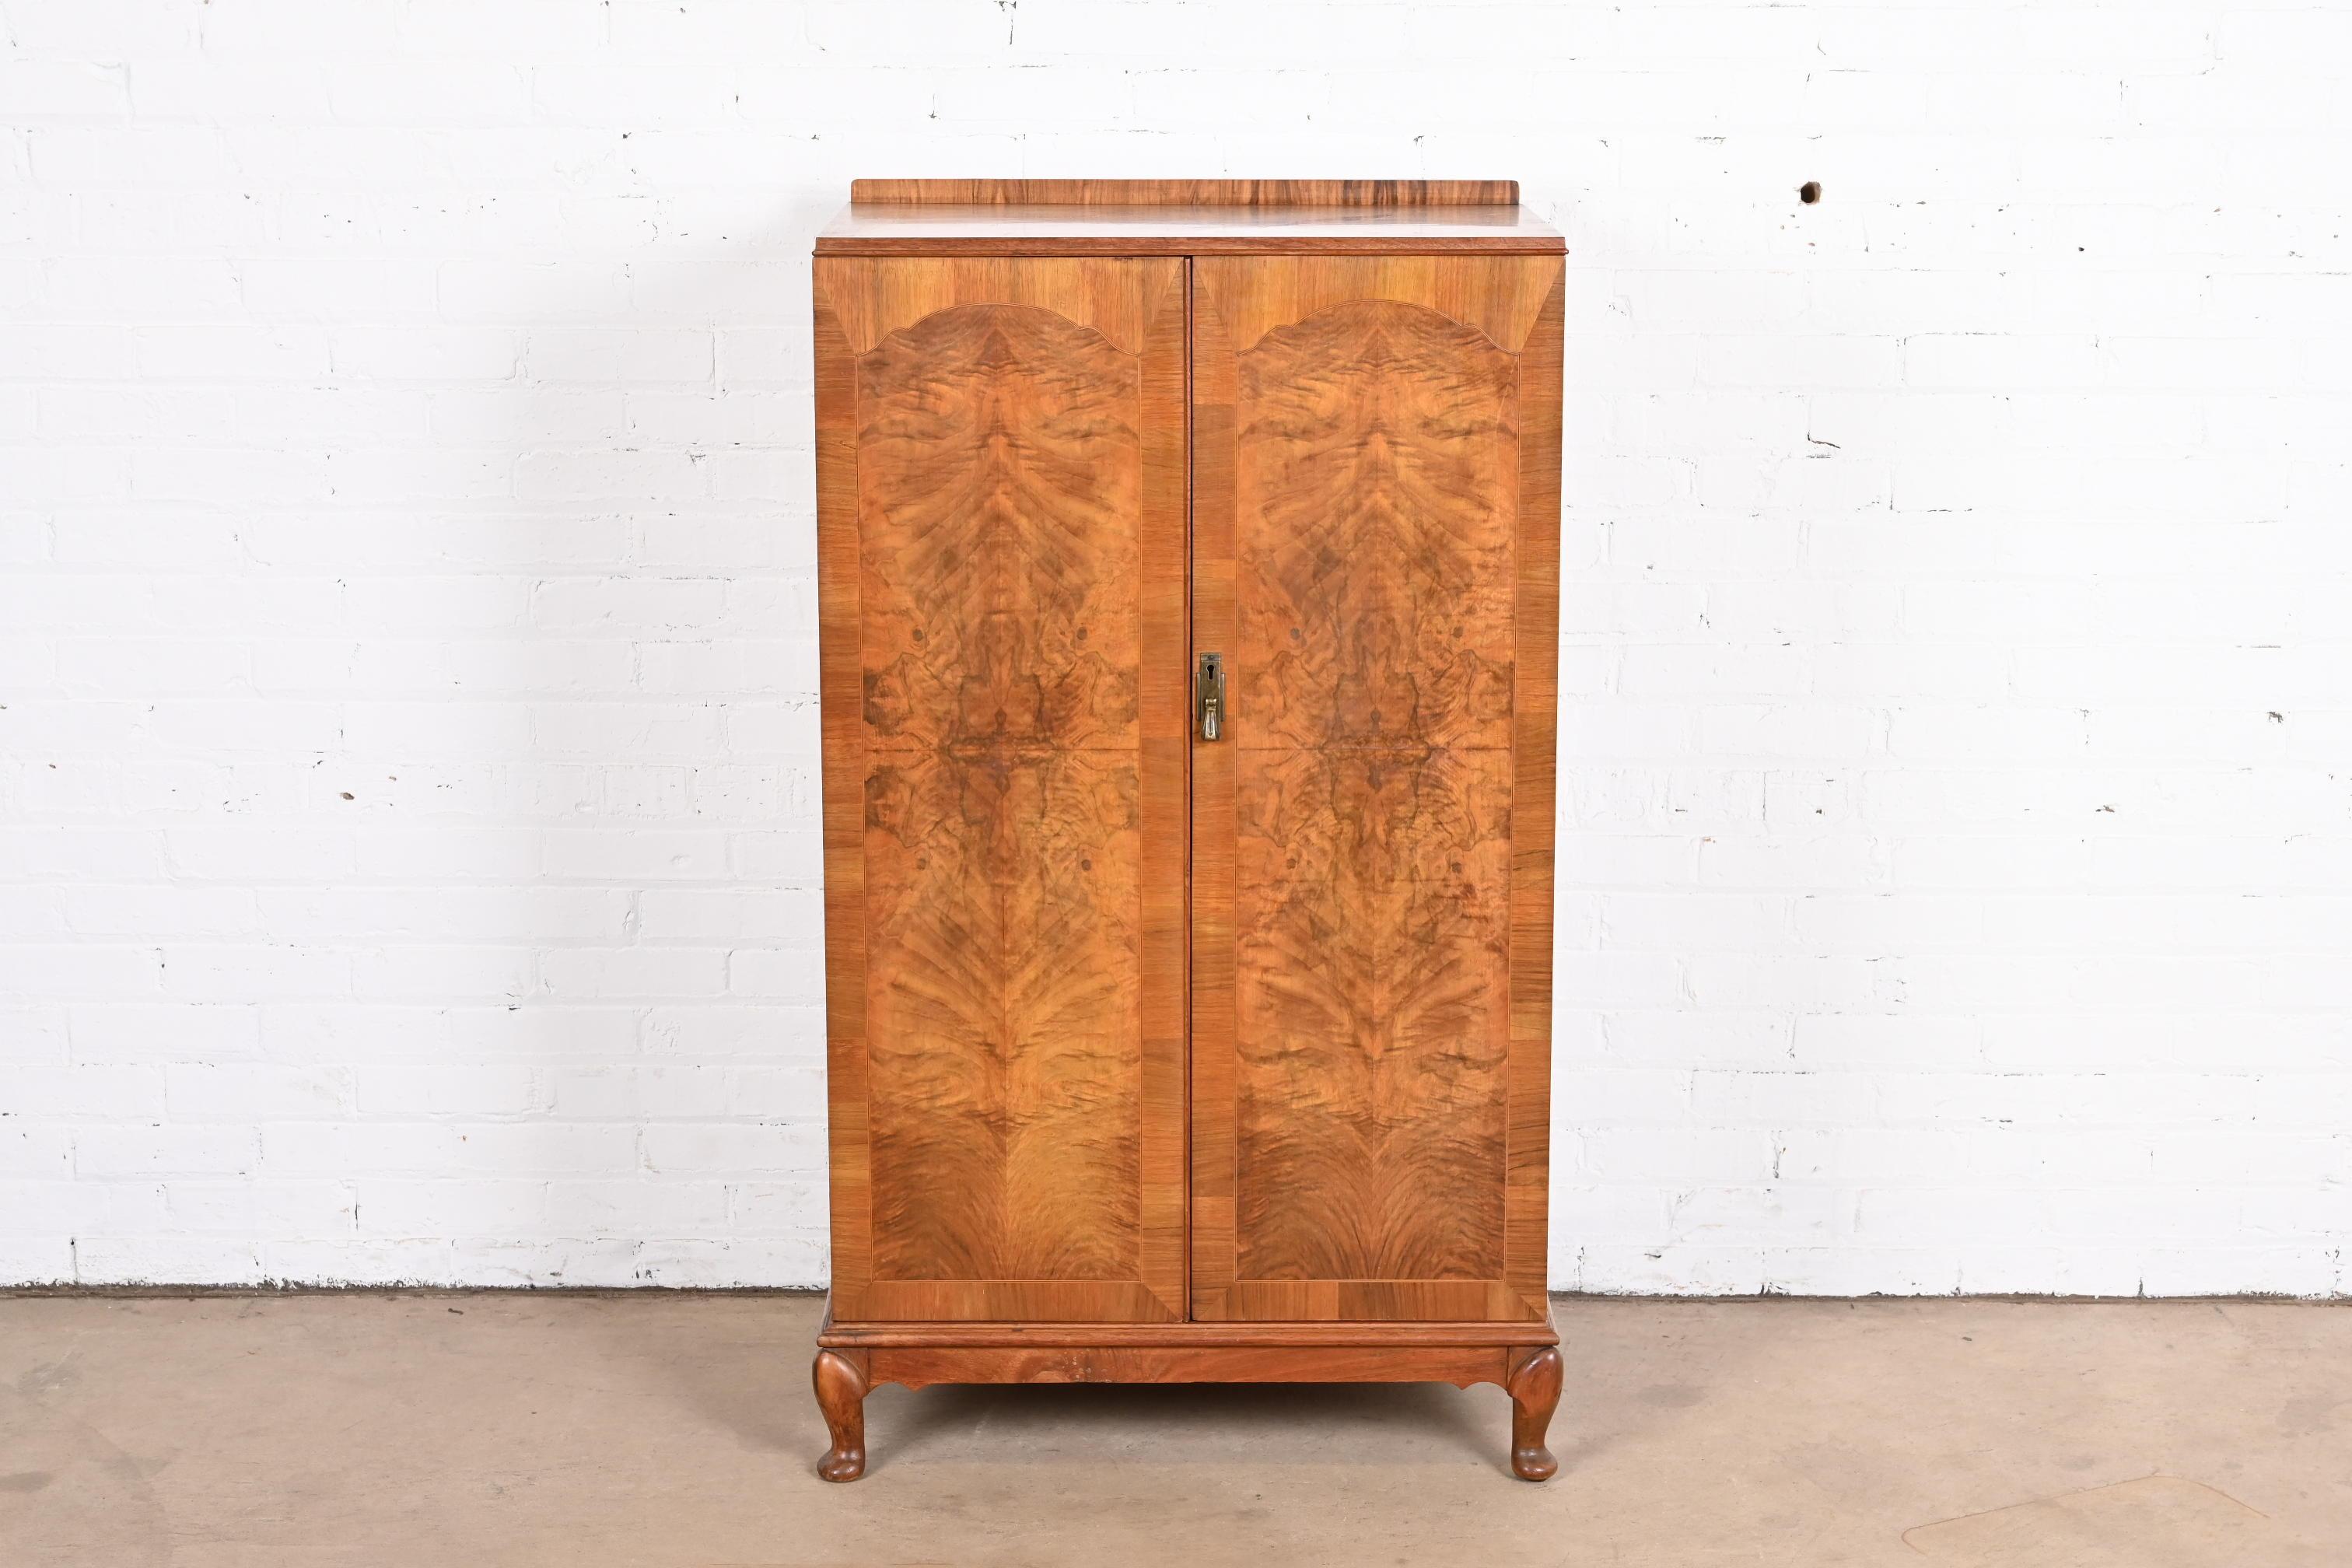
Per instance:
(1377,556)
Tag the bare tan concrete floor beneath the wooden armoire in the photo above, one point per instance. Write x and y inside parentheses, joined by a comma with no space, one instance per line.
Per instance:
(679,1430)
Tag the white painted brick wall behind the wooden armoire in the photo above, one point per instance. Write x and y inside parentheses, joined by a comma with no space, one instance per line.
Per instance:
(408,730)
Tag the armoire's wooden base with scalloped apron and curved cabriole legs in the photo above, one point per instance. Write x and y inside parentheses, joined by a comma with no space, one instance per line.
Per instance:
(860,1358)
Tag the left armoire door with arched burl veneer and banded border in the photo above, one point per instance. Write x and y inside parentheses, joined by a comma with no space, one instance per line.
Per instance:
(1001,514)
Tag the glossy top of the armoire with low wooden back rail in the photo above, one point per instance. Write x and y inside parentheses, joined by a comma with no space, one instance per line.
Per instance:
(1182,217)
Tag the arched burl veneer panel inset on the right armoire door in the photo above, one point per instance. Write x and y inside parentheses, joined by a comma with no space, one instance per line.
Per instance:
(1372,798)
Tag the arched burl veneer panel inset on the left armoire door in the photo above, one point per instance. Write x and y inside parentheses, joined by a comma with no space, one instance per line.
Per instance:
(1001,481)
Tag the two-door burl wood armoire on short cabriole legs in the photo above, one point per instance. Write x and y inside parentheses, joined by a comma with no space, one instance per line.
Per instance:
(1189,570)
